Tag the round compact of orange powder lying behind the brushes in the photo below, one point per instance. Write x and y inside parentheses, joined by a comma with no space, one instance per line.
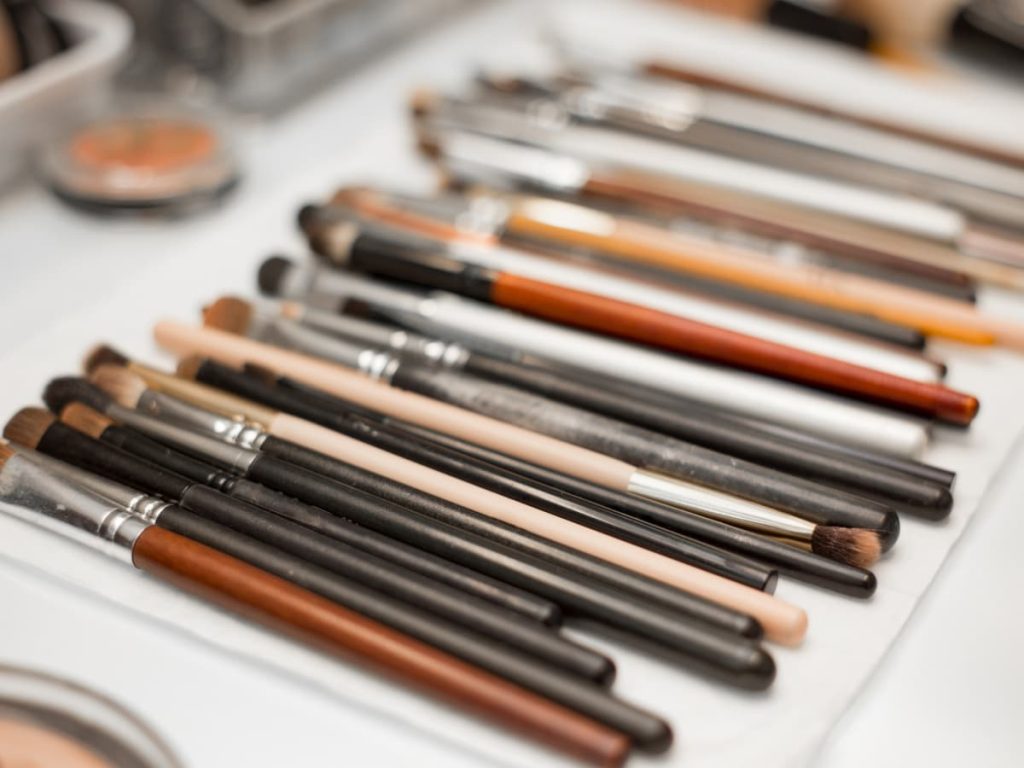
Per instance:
(156,161)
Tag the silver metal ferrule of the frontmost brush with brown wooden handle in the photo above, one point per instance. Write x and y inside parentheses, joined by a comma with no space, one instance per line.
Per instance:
(31,493)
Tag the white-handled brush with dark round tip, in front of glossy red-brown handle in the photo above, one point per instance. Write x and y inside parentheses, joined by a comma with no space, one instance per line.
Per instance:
(485,327)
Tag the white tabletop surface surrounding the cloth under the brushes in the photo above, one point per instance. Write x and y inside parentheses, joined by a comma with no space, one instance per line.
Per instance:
(948,693)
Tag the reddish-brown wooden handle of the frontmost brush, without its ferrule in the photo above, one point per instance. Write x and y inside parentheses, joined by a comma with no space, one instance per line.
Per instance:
(330,627)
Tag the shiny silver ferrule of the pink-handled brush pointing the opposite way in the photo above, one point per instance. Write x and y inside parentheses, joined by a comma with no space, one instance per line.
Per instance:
(719,506)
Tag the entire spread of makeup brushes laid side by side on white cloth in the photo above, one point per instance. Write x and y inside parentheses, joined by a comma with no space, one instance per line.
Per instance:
(648,353)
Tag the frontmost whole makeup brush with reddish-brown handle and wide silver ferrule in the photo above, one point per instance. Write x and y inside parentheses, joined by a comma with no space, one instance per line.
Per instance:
(32,495)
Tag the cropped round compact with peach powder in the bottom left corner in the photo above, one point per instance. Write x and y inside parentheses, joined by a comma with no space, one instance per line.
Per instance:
(46,721)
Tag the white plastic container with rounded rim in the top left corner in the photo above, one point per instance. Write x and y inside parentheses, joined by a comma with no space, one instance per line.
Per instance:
(37,104)
